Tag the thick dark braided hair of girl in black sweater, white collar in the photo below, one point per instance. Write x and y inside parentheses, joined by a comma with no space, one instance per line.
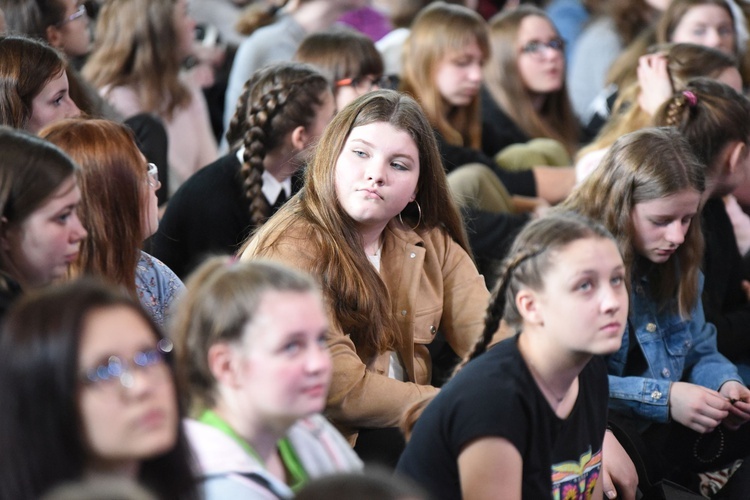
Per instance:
(275,100)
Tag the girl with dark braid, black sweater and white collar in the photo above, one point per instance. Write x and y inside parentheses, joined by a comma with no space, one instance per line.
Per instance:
(281,113)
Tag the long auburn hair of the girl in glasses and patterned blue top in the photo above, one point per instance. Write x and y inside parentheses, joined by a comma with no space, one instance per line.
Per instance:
(114,187)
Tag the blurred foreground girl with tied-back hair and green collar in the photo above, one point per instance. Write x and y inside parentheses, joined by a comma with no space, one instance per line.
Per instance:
(252,356)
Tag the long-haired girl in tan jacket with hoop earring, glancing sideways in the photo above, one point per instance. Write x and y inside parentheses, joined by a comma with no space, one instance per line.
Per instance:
(375,224)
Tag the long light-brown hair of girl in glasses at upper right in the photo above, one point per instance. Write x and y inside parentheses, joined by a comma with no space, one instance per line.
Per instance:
(503,80)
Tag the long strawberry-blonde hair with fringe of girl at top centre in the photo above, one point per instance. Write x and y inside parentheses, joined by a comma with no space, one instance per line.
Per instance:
(441,29)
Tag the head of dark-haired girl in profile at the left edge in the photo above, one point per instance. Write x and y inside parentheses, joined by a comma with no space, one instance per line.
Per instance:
(40,233)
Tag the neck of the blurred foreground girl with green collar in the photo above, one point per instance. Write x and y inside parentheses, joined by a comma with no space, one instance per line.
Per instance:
(261,436)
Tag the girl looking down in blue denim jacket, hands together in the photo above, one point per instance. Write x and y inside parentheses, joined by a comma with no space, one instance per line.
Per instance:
(672,393)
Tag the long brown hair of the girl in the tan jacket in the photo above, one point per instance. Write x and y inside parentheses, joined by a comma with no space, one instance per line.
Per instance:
(355,293)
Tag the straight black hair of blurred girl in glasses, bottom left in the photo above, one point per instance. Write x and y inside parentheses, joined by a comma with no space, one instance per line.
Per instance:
(44,441)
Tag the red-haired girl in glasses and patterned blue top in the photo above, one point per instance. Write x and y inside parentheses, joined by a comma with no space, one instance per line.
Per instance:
(119,209)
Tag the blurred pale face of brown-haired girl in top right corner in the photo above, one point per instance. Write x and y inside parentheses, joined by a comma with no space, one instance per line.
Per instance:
(708,25)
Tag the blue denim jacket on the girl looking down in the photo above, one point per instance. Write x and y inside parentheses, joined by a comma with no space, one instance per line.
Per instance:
(676,350)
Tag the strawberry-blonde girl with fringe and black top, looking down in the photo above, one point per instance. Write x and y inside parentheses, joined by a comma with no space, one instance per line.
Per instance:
(443,61)
